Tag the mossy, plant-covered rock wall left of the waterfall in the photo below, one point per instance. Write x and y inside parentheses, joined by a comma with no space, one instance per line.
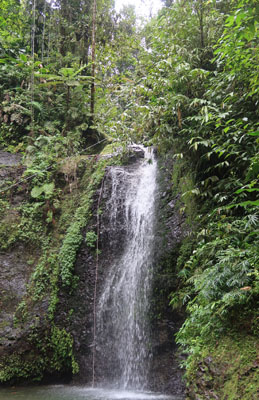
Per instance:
(39,239)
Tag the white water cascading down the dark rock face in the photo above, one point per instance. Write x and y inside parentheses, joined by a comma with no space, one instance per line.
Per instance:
(123,333)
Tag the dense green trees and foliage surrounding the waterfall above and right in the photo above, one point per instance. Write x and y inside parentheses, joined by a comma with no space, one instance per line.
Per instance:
(186,82)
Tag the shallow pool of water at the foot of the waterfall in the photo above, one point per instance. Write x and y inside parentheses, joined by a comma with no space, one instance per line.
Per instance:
(62,392)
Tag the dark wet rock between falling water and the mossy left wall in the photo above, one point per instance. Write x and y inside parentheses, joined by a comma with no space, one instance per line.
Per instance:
(111,239)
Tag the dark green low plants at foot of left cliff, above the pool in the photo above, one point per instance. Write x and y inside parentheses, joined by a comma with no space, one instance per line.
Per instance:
(41,353)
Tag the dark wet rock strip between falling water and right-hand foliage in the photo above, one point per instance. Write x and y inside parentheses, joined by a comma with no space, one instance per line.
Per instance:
(166,375)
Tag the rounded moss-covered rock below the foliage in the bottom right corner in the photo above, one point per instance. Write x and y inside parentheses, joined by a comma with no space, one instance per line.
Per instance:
(225,370)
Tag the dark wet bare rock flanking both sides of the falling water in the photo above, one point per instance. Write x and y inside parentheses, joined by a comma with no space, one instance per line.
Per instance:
(165,374)
